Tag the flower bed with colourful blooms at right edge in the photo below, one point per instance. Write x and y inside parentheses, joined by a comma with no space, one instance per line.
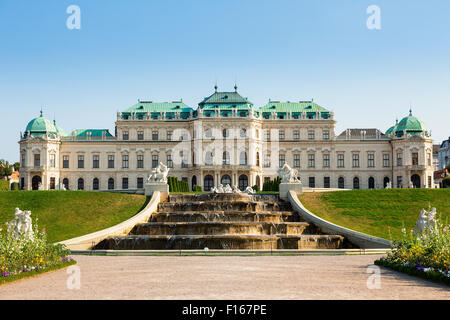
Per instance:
(426,254)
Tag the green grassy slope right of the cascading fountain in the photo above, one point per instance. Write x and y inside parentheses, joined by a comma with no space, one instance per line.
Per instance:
(381,213)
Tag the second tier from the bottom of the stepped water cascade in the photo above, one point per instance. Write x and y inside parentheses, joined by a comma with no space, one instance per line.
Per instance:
(219,228)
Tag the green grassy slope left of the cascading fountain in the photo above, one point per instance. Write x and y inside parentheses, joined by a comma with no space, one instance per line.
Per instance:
(68,214)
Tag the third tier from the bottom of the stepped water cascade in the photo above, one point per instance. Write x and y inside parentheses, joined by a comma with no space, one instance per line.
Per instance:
(225,216)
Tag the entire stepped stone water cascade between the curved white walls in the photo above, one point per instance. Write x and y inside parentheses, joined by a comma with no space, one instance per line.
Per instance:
(223,221)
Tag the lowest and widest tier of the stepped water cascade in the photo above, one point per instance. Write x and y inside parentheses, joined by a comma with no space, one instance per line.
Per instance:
(183,242)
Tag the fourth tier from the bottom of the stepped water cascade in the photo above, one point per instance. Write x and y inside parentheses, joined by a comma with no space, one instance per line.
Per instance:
(243,206)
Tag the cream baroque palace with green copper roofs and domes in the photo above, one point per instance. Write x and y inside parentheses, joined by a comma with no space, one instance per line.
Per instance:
(226,140)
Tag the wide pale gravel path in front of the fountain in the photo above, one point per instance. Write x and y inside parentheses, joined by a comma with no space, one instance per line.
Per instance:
(222,277)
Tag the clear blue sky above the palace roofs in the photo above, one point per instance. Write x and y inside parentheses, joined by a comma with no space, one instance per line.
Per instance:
(167,50)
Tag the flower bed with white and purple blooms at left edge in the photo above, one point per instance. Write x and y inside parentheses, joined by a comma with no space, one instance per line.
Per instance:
(29,255)
